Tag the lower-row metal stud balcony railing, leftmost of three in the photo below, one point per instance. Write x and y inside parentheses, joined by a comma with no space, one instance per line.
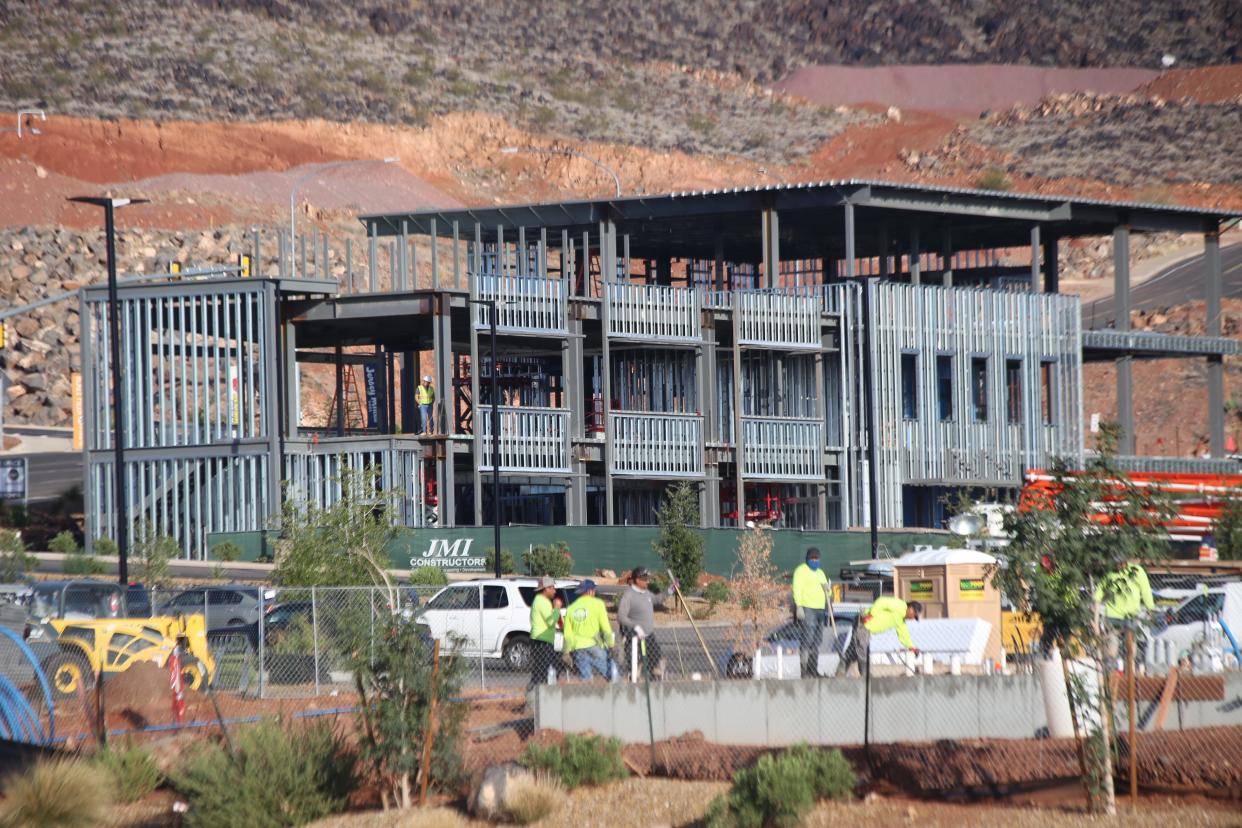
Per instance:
(532,440)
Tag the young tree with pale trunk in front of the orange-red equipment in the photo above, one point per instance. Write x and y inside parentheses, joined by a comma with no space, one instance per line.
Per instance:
(1064,548)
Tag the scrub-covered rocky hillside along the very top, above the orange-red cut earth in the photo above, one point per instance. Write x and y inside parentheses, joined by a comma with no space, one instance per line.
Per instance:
(649,74)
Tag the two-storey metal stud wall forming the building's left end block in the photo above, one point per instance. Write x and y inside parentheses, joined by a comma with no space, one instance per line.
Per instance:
(198,384)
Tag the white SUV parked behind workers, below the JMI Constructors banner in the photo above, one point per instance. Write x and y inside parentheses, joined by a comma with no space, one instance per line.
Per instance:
(489,618)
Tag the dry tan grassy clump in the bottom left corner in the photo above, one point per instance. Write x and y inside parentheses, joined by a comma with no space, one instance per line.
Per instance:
(65,794)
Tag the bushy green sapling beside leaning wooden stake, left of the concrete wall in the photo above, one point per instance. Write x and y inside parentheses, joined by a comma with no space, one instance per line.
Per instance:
(396,691)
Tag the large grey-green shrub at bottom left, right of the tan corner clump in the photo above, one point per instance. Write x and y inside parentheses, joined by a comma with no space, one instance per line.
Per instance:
(279,776)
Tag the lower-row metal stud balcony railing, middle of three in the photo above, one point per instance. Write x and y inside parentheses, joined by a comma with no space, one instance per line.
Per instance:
(658,444)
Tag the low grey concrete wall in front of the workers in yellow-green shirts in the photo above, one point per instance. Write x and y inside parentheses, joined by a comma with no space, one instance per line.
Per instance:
(830,712)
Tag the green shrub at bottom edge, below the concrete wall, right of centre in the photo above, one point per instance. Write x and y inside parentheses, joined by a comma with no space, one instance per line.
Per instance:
(782,789)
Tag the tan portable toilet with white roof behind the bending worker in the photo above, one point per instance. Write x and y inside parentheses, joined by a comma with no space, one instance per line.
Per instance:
(952,584)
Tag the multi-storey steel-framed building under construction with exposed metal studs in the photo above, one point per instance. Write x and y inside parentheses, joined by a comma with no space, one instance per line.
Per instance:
(818,357)
